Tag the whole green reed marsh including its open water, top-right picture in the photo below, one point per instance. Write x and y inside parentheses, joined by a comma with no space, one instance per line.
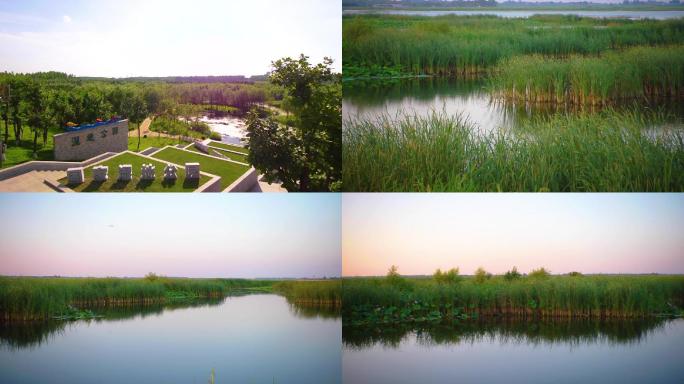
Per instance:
(558,103)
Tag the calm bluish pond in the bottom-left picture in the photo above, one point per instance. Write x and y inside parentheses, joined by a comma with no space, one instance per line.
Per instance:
(257,338)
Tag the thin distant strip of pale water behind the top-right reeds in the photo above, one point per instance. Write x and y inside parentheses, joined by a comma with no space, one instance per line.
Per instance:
(660,15)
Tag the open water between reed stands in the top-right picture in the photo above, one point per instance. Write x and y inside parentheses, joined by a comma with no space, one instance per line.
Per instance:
(469,98)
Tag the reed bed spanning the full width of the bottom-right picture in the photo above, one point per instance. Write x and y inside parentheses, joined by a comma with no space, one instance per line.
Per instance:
(383,300)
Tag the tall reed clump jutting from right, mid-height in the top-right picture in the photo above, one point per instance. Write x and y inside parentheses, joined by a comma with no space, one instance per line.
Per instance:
(651,73)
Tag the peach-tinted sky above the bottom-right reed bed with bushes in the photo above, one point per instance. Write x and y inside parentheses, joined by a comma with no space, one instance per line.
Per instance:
(588,233)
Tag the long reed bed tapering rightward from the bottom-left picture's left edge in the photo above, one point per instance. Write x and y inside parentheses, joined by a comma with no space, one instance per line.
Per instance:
(38,298)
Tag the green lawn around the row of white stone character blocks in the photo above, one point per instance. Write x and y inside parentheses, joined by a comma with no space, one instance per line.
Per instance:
(136,185)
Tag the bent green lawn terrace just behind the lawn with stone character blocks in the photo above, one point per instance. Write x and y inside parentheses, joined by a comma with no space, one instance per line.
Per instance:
(228,171)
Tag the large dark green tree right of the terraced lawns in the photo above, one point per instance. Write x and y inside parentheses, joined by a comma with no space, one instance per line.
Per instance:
(307,155)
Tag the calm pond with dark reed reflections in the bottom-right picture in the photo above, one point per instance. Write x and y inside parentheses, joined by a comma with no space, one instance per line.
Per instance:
(500,351)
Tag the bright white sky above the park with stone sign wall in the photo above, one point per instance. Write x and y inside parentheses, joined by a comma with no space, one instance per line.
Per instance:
(127,38)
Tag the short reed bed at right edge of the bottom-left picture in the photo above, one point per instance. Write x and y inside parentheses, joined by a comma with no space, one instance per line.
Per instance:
(311,292)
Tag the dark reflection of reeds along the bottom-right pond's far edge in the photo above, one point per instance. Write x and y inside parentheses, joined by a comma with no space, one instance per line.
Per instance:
(505,331)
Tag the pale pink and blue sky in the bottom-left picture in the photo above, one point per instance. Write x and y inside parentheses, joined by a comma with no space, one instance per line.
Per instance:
(242,235)
